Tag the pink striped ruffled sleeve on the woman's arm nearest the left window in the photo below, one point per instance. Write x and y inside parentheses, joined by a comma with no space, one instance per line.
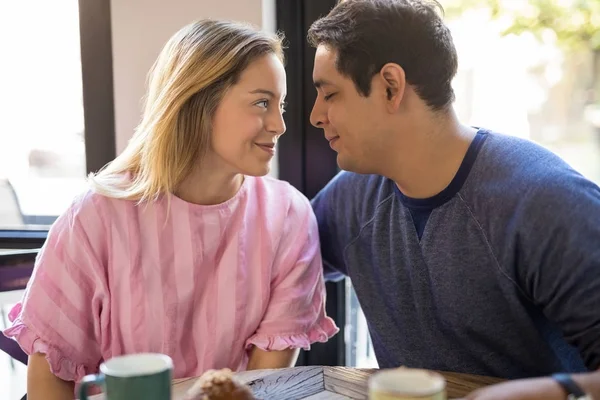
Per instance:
(61,308)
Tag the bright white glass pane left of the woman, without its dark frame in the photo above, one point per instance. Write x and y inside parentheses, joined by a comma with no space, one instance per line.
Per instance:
(42,154)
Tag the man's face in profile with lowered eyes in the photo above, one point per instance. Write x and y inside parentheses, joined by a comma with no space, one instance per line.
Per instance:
(352,124)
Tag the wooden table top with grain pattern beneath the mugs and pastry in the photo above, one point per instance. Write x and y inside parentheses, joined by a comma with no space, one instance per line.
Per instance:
(328,383)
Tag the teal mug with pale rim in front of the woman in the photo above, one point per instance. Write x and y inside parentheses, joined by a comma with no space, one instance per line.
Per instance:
(135,376)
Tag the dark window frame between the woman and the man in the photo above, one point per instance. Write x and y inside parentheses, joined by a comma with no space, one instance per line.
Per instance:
(304,157)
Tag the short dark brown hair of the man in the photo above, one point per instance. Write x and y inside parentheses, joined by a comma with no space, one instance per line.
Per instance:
(367,34)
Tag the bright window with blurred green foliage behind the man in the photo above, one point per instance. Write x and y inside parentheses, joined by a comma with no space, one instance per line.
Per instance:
(532,77)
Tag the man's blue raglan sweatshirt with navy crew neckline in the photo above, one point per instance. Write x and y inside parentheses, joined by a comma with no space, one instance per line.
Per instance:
(499,274)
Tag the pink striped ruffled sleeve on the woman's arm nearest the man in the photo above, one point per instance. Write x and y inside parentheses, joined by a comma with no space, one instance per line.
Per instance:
(295,316)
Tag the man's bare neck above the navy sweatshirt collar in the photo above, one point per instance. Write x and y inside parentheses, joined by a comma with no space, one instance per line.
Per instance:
(429,165)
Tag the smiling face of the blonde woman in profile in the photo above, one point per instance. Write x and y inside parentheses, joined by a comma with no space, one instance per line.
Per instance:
(249,120)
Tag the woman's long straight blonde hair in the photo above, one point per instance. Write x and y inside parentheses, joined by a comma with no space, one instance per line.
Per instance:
(185,86)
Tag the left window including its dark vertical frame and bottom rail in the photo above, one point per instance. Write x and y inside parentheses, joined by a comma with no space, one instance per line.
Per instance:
(56,113)
